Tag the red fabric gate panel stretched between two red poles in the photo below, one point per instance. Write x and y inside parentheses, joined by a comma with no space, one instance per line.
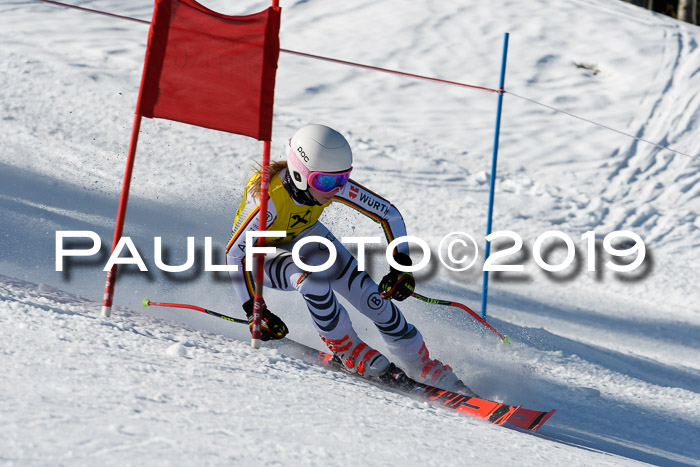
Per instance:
(211,70)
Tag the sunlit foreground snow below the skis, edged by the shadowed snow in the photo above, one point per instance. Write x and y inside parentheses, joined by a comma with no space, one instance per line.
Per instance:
(133,390)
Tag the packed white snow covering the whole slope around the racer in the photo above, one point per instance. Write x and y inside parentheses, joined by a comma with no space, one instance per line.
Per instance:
(617,354)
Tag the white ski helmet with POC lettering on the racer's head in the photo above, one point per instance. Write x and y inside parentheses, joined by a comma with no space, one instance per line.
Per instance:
(317,148)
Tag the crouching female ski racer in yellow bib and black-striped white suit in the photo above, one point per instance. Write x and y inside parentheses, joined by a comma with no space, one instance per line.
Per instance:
(315,174)
